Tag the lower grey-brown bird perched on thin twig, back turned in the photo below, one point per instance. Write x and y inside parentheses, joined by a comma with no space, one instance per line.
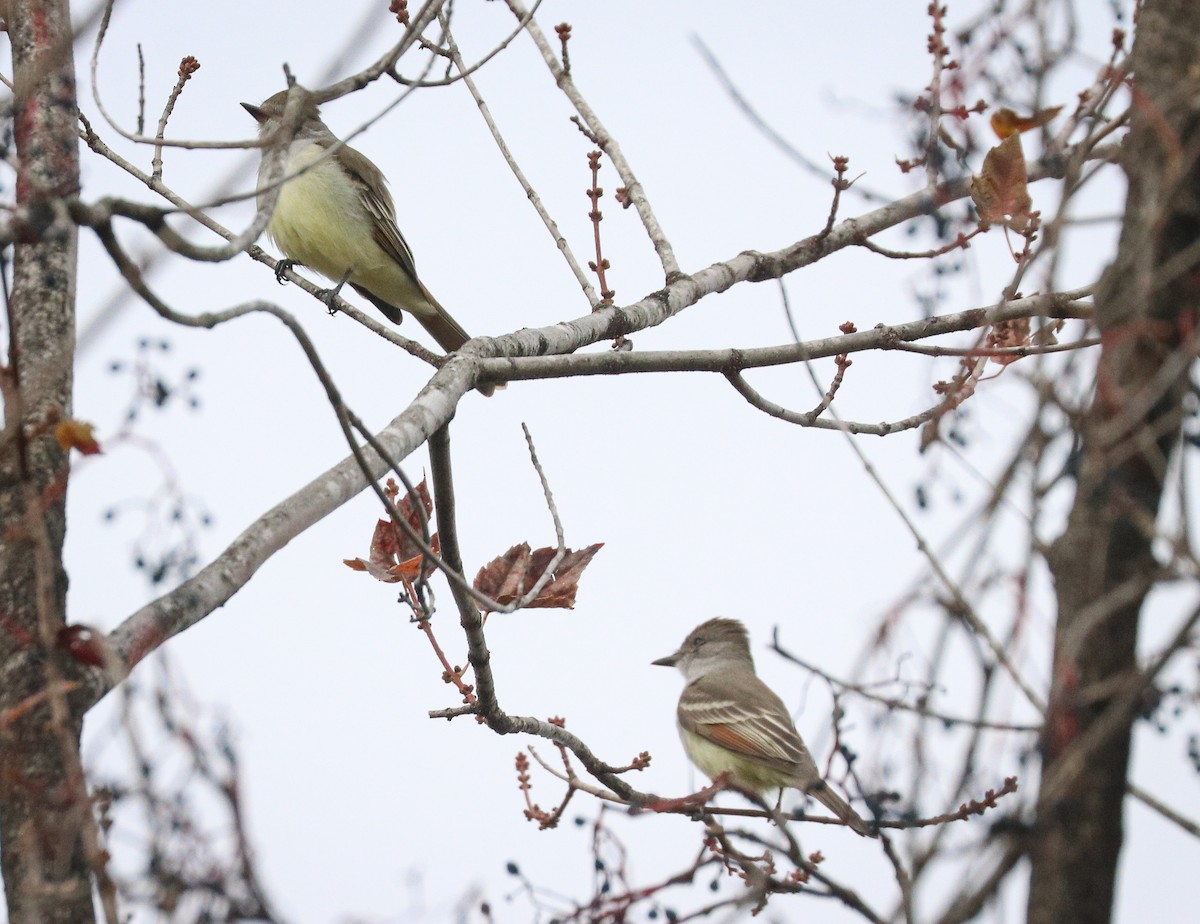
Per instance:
(733,724)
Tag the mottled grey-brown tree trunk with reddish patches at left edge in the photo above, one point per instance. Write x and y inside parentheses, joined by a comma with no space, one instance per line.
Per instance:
(44,806)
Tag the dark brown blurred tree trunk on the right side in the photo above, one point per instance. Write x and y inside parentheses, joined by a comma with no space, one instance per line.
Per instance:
(1103,565)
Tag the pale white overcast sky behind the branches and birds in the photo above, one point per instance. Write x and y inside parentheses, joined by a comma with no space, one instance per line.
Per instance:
(359,806)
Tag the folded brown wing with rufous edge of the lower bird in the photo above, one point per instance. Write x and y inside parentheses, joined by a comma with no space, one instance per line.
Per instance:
(745,717)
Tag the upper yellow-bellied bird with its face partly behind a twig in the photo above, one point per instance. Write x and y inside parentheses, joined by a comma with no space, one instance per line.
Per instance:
(335,214)
